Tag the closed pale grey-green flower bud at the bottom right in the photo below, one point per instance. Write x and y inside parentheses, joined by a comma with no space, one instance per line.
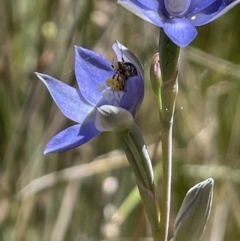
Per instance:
(194,212)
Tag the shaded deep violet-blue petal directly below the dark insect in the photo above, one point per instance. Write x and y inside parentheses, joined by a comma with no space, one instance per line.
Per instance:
(133,97)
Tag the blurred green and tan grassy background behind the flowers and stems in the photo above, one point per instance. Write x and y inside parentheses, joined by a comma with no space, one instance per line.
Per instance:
(78,195)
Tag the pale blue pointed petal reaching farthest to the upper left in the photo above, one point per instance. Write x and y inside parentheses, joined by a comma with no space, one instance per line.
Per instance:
(67,98)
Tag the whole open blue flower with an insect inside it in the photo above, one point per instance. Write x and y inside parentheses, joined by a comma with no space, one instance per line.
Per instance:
(102,91)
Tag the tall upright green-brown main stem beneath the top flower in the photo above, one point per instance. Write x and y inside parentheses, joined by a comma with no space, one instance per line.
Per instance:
(168,54)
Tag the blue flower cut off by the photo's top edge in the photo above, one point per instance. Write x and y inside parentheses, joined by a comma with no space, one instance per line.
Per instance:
(178,18)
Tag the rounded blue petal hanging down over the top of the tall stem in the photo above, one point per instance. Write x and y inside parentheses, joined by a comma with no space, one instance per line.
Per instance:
(180,31)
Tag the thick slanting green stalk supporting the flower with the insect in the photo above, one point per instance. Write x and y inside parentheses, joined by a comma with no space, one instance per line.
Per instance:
(139,160)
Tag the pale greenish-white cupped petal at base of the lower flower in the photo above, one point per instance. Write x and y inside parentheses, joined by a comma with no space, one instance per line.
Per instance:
(112,118)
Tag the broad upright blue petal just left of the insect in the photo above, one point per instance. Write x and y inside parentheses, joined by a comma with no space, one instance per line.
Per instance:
(91,69)
